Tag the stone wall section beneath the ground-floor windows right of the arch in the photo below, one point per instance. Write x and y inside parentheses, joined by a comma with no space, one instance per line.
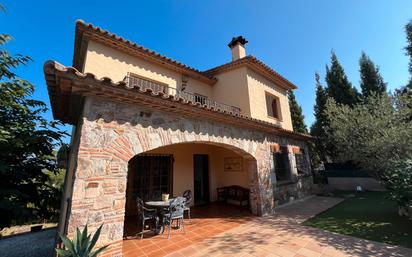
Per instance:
(285,192)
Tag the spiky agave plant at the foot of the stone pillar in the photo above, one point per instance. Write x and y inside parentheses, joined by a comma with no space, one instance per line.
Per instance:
(81,245)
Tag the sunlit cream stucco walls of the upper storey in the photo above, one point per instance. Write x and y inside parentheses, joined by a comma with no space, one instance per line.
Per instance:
(241,87)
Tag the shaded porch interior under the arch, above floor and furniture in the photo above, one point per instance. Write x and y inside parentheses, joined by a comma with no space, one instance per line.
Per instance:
(201,167)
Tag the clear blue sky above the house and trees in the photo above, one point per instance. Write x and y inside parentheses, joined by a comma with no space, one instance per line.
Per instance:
(293,37)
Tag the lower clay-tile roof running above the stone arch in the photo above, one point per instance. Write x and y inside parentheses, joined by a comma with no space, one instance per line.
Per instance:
(60,80)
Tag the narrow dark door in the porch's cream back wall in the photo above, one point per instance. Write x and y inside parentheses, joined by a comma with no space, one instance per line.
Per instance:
(201,178)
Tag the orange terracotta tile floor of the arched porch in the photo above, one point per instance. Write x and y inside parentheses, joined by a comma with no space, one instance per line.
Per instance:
(207,222)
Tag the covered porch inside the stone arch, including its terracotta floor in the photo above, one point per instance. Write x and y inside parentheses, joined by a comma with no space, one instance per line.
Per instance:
(200,167)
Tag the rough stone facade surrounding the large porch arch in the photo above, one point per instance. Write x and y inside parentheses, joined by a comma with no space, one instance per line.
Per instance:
(111,133)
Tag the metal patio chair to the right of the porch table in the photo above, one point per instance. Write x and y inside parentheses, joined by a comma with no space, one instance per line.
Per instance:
(175,212)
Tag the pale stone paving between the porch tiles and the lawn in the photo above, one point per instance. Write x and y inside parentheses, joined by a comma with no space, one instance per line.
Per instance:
(282,234)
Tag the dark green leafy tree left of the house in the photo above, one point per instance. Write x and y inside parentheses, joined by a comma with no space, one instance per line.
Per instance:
(27,141)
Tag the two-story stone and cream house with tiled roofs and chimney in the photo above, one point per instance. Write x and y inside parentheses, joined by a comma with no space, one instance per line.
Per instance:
(144,124)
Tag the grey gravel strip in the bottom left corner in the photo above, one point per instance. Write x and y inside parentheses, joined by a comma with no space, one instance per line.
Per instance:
(38,244)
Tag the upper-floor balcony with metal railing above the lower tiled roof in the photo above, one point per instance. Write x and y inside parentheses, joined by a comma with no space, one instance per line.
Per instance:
(143,84)
